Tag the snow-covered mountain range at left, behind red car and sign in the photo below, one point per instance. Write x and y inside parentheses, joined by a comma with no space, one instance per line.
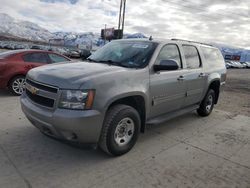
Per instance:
(31,31)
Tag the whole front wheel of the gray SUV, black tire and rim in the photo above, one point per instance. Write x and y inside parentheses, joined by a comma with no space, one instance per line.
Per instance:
(115,139)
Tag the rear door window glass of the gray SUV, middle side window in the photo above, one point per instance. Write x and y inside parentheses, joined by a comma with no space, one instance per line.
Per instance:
(192,57)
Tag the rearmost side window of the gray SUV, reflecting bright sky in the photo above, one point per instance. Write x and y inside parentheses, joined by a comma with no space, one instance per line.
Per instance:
(213,56)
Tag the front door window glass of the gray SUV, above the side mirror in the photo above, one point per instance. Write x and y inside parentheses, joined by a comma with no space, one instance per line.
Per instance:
(170,51)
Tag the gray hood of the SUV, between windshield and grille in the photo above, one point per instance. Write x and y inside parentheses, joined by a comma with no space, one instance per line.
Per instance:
(71,75)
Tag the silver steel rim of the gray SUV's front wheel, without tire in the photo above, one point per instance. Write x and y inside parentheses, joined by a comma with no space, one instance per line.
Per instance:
(124,131)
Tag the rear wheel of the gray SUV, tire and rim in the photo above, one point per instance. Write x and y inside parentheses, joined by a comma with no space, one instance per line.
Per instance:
(207,104)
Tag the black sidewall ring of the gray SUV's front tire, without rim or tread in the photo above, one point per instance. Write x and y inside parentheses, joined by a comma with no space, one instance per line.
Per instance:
(111,144)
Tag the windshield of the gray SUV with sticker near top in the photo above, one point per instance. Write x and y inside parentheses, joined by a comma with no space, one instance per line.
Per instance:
(132,54)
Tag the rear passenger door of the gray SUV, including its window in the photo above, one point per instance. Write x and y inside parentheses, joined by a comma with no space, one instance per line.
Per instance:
(195,77)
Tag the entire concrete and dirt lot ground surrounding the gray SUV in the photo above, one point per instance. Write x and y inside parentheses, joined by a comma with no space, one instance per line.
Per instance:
(188,151)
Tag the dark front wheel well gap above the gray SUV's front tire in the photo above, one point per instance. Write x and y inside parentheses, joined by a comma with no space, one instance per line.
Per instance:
(138,103)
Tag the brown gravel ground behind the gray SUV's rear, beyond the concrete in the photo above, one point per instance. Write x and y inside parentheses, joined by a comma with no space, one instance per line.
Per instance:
(236,95)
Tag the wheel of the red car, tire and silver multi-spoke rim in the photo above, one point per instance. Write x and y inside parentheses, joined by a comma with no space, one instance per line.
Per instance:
(16,85)
